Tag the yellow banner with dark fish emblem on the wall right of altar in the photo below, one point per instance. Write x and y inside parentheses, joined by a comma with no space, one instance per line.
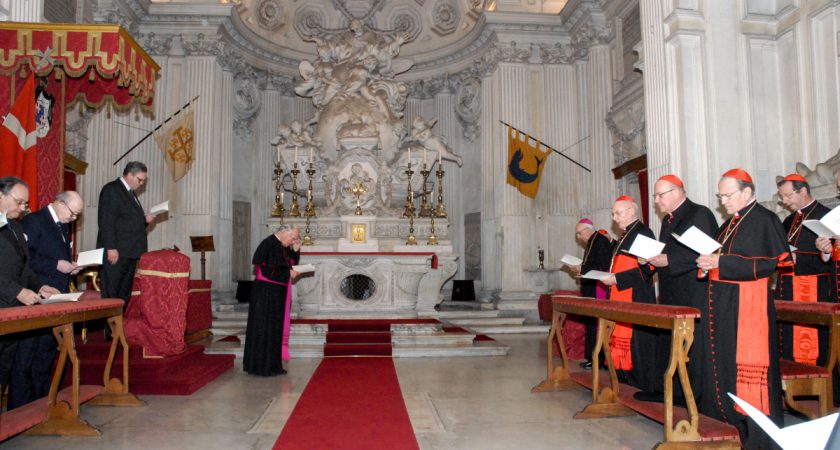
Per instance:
(525,163)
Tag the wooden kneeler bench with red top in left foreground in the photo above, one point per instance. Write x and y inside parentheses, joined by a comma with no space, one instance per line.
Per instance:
(60,413)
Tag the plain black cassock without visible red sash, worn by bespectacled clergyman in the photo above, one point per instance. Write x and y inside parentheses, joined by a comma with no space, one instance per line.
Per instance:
(680,286)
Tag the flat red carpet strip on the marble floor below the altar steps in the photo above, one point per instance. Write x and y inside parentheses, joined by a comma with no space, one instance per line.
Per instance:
(350,403)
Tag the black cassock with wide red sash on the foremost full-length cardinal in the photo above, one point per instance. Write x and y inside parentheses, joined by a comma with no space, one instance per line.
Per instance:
(742,339)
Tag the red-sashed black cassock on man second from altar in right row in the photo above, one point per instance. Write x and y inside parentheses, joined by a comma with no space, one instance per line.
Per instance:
(639,279)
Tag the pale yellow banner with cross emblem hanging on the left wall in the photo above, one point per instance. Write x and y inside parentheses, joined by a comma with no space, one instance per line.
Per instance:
(176,140)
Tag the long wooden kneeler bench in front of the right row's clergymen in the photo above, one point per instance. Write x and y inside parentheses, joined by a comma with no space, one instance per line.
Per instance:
(683,427)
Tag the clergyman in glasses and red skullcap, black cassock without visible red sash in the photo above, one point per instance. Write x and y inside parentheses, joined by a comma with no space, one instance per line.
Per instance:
(678,279)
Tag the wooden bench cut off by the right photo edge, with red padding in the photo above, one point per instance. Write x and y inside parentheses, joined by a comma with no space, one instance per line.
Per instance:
(805,379)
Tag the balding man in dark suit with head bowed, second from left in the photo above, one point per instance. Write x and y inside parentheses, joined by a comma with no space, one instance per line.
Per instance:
(48,240)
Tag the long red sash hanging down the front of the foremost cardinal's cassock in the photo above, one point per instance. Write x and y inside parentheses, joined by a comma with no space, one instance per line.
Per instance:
(752,353)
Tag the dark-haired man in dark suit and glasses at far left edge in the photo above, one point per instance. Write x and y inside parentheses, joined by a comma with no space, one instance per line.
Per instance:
(18,283)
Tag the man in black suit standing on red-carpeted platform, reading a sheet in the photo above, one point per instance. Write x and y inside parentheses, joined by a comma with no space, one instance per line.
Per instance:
(122,231)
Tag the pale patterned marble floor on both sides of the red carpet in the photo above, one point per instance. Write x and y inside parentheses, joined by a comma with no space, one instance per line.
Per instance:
(454,403)
